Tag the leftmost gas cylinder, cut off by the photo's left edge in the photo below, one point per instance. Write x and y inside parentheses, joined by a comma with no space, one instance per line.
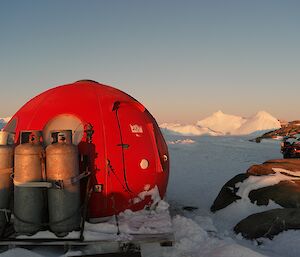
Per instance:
(6,167)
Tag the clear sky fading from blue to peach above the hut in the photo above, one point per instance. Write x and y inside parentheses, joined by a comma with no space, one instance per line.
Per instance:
(182,59)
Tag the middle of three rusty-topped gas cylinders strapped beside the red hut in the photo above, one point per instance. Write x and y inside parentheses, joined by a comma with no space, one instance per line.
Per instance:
(29,201)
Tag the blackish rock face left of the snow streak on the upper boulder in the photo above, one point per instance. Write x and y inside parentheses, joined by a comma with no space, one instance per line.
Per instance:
(227,194)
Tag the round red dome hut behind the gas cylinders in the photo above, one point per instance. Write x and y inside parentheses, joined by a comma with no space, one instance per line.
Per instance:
(119,142)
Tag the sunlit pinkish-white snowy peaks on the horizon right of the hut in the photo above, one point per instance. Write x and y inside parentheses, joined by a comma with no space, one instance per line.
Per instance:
(220,123)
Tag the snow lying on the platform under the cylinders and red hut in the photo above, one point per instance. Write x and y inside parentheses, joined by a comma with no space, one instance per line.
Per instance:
(129,223)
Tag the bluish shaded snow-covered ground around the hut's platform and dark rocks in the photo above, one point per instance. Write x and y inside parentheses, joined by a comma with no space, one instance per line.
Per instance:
(200,166)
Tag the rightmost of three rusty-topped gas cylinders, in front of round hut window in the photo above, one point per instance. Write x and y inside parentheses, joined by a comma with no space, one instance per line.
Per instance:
(62,168)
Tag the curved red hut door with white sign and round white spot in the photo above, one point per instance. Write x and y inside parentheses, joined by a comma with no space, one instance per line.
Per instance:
(139,150)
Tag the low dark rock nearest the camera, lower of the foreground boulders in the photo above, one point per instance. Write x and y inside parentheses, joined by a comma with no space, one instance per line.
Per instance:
(268,223)
